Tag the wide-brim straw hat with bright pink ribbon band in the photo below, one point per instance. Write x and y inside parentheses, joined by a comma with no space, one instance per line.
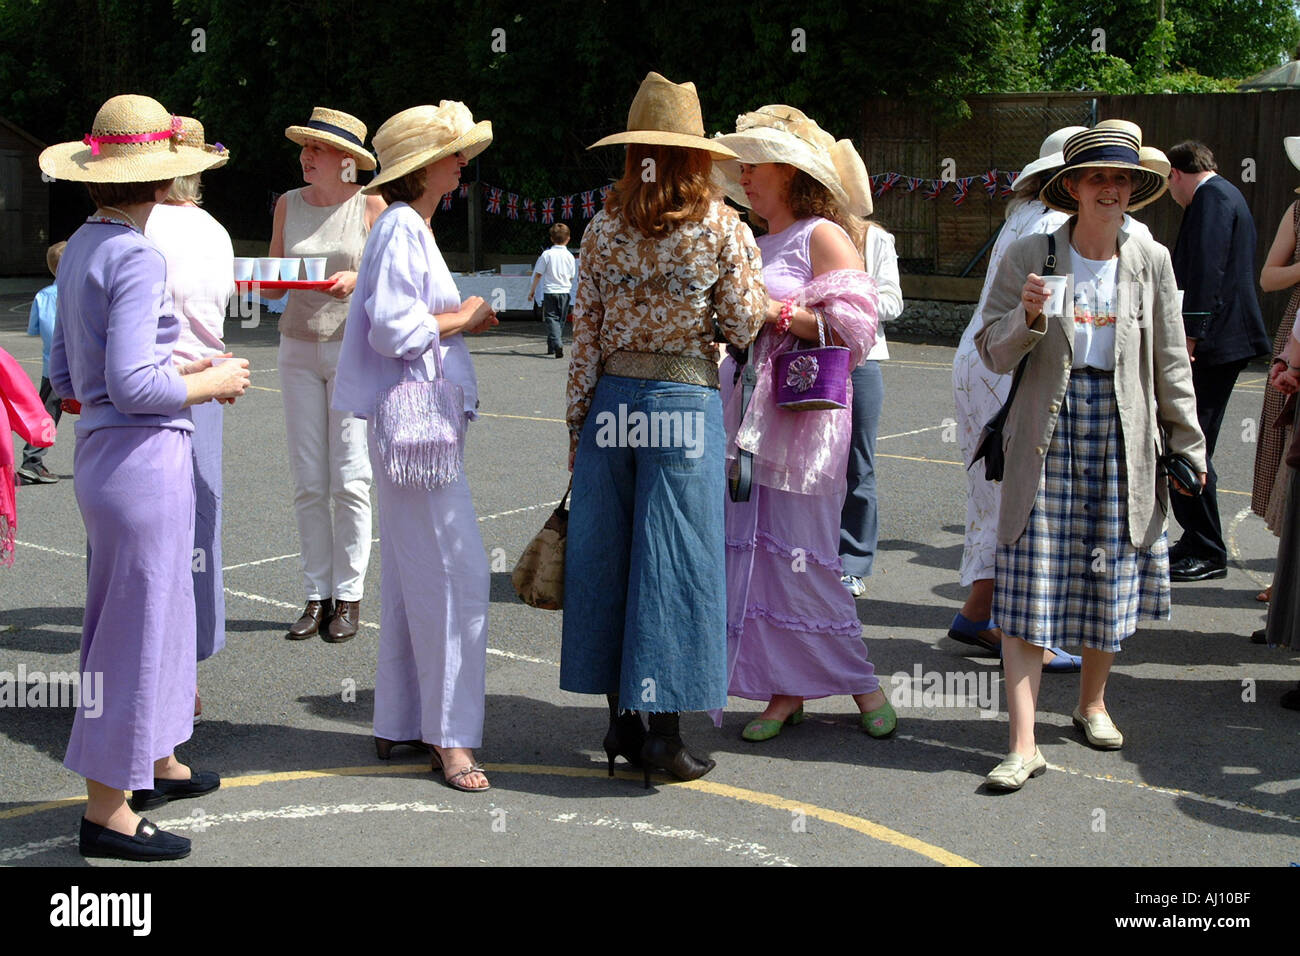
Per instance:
(133,140)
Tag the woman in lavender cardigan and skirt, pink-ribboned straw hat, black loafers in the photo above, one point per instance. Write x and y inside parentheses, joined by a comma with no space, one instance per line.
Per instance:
(135,479)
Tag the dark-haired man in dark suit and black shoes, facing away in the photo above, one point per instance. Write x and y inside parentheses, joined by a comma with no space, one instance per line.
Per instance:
(1215,265)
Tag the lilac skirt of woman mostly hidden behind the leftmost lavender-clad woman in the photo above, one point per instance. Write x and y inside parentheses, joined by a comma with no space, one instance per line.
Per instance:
(210,596)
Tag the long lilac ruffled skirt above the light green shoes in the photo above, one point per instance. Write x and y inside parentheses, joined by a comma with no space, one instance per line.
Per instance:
(792,629)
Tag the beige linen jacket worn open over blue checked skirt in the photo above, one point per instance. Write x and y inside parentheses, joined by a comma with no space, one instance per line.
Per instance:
(1154,377)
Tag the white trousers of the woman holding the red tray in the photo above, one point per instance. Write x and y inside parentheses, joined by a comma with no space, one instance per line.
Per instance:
(330,462)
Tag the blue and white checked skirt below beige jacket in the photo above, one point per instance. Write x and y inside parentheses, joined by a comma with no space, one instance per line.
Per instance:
(1074,576)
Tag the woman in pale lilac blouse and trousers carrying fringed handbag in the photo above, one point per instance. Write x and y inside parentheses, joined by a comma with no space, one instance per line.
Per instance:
(406,315)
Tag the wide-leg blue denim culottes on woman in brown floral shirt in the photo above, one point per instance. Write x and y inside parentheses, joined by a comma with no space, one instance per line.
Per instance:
(645,611)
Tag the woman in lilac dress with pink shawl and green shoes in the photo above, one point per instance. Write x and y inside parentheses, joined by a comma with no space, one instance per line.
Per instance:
(792,629)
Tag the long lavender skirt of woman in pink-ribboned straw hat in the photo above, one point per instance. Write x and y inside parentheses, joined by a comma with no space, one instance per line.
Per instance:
(136,492)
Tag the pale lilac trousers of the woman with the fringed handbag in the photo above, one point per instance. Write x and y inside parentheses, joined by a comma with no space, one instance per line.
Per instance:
(430,684)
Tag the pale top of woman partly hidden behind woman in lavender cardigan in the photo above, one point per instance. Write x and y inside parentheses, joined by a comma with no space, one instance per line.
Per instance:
(201,271)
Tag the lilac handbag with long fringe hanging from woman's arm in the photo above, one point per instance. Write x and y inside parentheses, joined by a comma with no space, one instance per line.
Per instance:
(421,430)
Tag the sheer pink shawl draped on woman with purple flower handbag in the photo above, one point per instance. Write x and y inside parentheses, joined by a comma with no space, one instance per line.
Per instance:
(804,452)
